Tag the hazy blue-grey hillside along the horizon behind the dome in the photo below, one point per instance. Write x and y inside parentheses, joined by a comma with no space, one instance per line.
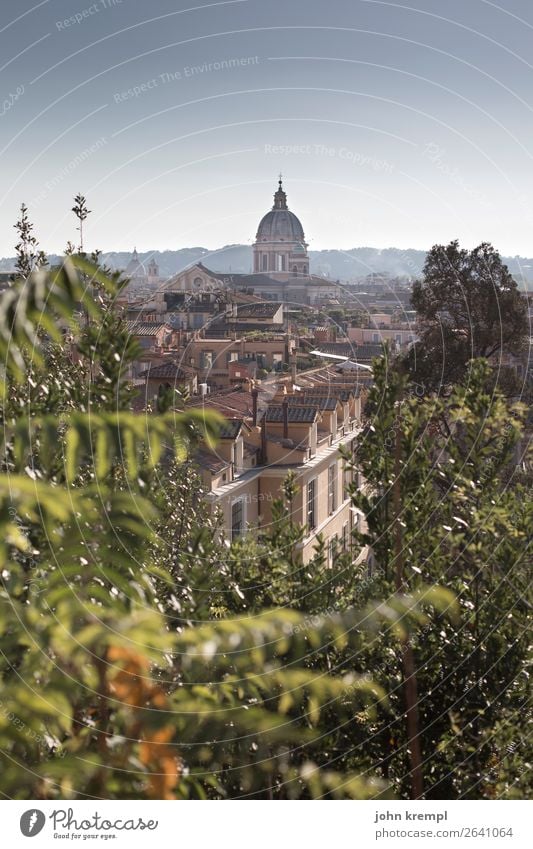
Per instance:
(339,265)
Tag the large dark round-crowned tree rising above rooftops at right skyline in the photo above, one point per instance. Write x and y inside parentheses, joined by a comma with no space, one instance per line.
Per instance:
(468,306)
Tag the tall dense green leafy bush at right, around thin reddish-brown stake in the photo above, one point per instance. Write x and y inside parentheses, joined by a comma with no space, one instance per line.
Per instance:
(461,521)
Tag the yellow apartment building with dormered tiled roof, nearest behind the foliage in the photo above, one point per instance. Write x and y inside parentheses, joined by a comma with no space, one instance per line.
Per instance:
(295,429)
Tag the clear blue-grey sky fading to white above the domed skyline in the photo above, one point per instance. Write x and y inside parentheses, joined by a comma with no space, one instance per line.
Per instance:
(394,124)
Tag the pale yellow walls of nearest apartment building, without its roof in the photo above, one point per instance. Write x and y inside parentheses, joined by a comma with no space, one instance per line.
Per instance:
(244,497)
